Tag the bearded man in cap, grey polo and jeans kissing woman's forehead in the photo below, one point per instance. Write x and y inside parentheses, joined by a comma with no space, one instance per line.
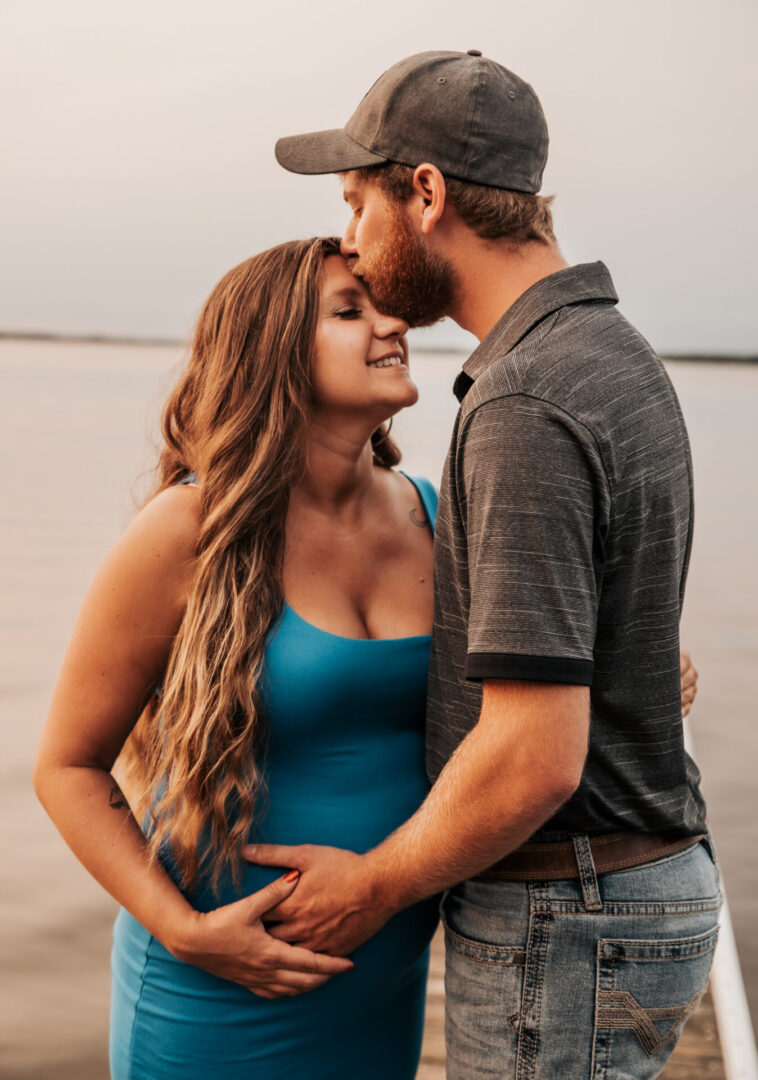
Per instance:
(565,817)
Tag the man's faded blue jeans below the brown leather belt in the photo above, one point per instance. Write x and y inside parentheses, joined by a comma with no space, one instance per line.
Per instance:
(575,980)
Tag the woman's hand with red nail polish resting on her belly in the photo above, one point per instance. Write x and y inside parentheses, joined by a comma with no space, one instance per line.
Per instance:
(232,942)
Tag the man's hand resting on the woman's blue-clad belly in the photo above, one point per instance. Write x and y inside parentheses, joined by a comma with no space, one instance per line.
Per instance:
(337,906)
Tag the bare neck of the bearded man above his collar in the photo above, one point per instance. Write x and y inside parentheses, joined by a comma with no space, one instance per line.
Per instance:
(493,277)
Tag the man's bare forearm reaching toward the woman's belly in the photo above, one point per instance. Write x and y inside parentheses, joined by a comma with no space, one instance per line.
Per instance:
(493,794)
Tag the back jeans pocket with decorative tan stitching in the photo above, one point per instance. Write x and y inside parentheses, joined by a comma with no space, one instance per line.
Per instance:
(646,991)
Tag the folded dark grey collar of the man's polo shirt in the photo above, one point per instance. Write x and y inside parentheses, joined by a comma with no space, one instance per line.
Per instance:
(589,281)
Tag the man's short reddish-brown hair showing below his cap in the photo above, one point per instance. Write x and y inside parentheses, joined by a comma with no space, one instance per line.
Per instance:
(492,213)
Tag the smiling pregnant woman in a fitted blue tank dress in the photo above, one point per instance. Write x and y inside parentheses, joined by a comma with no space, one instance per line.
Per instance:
(254,653)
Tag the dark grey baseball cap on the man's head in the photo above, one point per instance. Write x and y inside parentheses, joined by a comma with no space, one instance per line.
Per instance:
(472,118)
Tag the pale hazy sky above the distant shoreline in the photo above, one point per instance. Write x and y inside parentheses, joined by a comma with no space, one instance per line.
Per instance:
(139,147)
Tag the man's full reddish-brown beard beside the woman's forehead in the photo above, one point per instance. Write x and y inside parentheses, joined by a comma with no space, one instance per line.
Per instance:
(404,279)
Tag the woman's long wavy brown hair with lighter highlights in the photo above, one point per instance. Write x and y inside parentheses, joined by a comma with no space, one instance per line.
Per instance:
(237,420)
